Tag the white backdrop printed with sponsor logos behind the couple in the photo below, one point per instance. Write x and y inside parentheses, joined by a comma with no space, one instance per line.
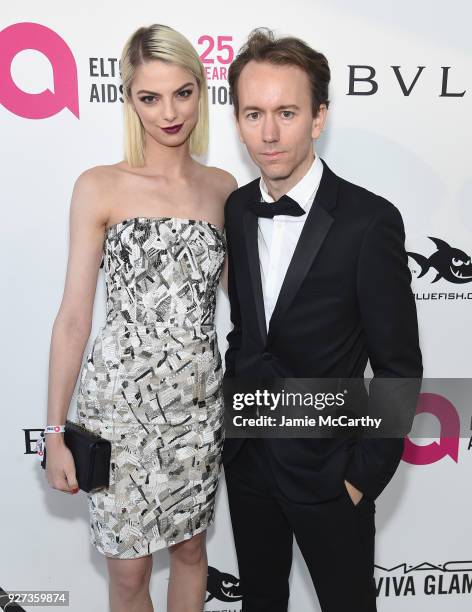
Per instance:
(399,124)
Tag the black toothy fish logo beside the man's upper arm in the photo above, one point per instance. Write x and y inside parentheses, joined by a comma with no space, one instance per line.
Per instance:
(450,263)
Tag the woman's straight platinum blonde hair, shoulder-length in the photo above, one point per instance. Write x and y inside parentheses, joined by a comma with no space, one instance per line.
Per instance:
(166,44)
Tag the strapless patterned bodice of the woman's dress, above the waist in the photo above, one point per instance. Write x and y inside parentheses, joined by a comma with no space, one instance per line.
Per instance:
(162,270)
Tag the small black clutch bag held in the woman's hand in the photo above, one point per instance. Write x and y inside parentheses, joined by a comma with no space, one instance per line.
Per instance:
(91,455)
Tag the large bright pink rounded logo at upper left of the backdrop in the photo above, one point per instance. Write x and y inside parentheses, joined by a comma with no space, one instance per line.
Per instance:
(21,36)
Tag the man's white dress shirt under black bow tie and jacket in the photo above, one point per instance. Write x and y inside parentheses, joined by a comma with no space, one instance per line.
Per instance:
(278,237)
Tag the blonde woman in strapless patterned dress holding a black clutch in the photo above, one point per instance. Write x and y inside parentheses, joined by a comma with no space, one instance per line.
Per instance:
(151,381)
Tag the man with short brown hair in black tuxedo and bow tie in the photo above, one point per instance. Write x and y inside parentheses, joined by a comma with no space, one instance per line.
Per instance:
(318,284)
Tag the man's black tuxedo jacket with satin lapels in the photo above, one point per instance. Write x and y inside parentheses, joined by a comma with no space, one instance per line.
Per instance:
(346,298)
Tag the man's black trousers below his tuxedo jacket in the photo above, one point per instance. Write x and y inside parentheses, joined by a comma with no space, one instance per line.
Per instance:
(335,537)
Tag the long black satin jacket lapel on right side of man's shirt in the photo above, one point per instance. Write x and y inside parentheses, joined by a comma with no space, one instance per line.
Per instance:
(314,232)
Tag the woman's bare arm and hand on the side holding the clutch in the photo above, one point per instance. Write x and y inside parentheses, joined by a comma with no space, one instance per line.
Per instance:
(72,325)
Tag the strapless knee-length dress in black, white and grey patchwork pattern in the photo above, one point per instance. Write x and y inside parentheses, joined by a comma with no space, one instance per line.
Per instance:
(151,384)
